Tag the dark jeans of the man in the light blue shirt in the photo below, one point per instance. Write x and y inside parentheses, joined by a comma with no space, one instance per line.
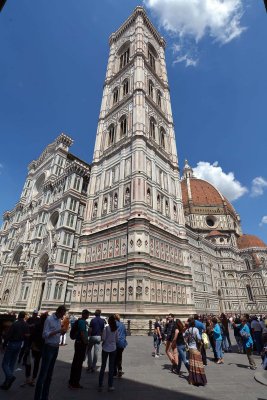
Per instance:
(49,357)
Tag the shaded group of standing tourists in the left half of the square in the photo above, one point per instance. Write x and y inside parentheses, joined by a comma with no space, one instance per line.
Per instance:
(36,340)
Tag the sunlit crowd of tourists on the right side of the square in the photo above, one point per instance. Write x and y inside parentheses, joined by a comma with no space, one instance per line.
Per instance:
(186,343)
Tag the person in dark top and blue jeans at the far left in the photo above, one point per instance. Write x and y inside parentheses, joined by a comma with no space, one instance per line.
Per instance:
(17,336)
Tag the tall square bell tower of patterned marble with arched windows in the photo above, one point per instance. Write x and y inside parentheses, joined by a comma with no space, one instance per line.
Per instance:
(132,256)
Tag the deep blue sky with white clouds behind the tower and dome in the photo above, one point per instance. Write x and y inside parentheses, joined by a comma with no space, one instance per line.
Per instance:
(53,63)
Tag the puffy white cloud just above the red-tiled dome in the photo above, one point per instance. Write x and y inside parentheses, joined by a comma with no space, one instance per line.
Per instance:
(225,182)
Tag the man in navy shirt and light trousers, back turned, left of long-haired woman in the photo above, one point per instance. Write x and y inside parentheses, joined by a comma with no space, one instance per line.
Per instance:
(96,328)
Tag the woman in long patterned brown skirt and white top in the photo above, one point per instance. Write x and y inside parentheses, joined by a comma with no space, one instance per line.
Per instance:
(197,374)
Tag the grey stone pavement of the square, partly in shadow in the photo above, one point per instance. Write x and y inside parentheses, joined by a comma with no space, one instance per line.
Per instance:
(148,378)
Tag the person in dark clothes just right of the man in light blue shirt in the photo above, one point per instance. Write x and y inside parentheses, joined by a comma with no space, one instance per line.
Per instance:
(80,345)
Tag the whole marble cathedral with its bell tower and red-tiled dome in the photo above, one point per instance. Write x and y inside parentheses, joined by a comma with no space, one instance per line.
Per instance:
(127,233)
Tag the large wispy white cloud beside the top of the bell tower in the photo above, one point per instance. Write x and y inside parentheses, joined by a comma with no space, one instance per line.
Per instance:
(192,20)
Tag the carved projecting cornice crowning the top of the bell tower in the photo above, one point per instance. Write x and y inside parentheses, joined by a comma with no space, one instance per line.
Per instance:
(139,11)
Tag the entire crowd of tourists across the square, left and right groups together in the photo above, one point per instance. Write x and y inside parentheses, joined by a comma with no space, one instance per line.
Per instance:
(34,342)
